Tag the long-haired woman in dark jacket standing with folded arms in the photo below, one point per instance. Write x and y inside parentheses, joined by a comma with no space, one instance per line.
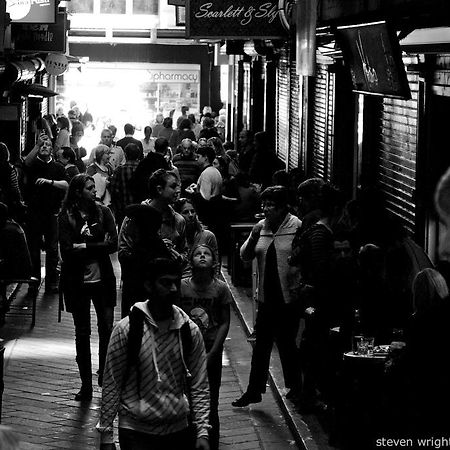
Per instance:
(87,236)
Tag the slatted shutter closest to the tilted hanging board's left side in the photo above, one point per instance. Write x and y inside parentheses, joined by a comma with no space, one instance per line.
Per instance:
(322,124)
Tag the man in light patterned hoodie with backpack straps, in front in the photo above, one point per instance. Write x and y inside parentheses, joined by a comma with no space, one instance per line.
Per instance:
(155,383)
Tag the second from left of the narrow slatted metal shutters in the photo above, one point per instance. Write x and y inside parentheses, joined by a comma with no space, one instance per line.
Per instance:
(294,118)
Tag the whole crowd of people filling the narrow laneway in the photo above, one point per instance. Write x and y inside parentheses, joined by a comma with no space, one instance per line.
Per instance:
(165,203)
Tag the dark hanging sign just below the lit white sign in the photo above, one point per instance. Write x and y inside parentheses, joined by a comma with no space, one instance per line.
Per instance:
(45,37)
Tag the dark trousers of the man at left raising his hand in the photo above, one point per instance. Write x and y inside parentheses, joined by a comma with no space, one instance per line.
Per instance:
(43,228)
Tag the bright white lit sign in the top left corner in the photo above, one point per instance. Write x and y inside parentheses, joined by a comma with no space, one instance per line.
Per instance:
(31,11)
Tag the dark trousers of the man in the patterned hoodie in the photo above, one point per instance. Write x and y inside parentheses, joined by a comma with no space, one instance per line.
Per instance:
(135,440)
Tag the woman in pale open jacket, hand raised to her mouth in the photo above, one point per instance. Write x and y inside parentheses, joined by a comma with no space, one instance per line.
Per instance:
(270,242)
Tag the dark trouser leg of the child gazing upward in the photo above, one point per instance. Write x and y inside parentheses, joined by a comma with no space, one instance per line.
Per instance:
(215,380)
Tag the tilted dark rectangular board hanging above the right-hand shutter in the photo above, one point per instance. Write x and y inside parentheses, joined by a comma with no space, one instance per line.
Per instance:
(372,53)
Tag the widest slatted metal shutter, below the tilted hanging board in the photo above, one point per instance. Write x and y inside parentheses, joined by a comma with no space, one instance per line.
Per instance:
(397,155)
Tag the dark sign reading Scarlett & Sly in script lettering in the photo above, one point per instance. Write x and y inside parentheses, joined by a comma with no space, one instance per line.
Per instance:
(236,19)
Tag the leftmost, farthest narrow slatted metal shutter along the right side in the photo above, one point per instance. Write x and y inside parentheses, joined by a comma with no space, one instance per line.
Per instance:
(282,143)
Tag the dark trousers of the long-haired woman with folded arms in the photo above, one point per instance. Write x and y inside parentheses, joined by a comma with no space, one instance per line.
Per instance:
(81,313)
